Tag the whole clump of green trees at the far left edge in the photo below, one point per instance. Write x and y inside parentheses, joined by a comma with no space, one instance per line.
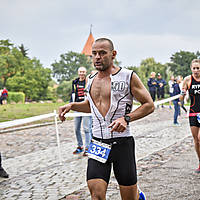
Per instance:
(21,74)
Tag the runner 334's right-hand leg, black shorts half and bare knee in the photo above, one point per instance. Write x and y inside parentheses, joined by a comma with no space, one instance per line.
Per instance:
(124,167)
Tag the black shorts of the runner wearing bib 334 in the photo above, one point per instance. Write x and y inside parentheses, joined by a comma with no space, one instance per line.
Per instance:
(122,157)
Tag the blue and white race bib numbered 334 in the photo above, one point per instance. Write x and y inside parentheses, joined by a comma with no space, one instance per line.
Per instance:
(99,151)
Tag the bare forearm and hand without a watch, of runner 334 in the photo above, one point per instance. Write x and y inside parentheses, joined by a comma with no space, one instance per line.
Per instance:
(83,106)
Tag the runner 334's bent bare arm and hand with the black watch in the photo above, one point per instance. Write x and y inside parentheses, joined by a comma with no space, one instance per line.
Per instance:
(143,96)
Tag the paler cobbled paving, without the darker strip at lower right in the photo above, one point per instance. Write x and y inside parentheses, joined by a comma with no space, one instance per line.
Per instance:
(31,157)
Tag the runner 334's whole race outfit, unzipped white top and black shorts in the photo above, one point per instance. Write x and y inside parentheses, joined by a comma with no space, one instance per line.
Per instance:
(122,154)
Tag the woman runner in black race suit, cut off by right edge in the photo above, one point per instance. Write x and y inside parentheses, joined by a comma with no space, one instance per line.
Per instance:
(192,84)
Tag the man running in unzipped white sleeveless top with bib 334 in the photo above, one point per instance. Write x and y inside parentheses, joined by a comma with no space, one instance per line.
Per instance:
(110,98)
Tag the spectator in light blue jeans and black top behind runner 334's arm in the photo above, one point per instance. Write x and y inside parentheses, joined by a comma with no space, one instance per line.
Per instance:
(78,95)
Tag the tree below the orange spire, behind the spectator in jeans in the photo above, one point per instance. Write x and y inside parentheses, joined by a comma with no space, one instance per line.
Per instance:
(67,68)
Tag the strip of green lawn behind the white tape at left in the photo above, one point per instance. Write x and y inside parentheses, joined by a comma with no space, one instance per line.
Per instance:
(10,112)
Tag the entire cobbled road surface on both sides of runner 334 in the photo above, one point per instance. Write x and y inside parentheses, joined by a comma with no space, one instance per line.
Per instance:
(165,160)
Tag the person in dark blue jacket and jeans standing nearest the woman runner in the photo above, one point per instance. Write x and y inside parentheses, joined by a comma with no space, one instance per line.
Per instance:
(176,91)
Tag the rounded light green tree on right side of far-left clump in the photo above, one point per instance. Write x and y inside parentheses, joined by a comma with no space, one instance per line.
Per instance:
(33,81)
